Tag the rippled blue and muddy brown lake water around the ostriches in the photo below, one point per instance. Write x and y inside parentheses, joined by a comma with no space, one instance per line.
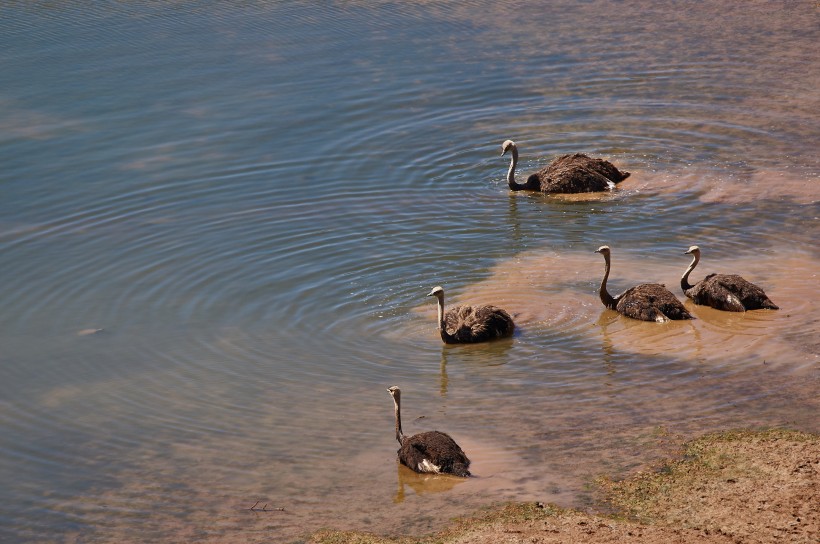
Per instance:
(219,222)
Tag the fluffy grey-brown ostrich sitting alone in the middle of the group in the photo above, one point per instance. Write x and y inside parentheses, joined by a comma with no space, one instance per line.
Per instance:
(470,324)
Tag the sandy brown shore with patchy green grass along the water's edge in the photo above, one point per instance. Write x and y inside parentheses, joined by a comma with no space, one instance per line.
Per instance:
(737,486)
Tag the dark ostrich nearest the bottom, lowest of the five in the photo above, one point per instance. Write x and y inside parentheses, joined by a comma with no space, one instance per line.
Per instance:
(431,451)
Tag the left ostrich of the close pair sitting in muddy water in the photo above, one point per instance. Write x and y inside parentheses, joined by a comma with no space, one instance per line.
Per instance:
(647,301)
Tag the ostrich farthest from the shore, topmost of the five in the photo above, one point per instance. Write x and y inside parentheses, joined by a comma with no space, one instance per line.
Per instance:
(571,173)
